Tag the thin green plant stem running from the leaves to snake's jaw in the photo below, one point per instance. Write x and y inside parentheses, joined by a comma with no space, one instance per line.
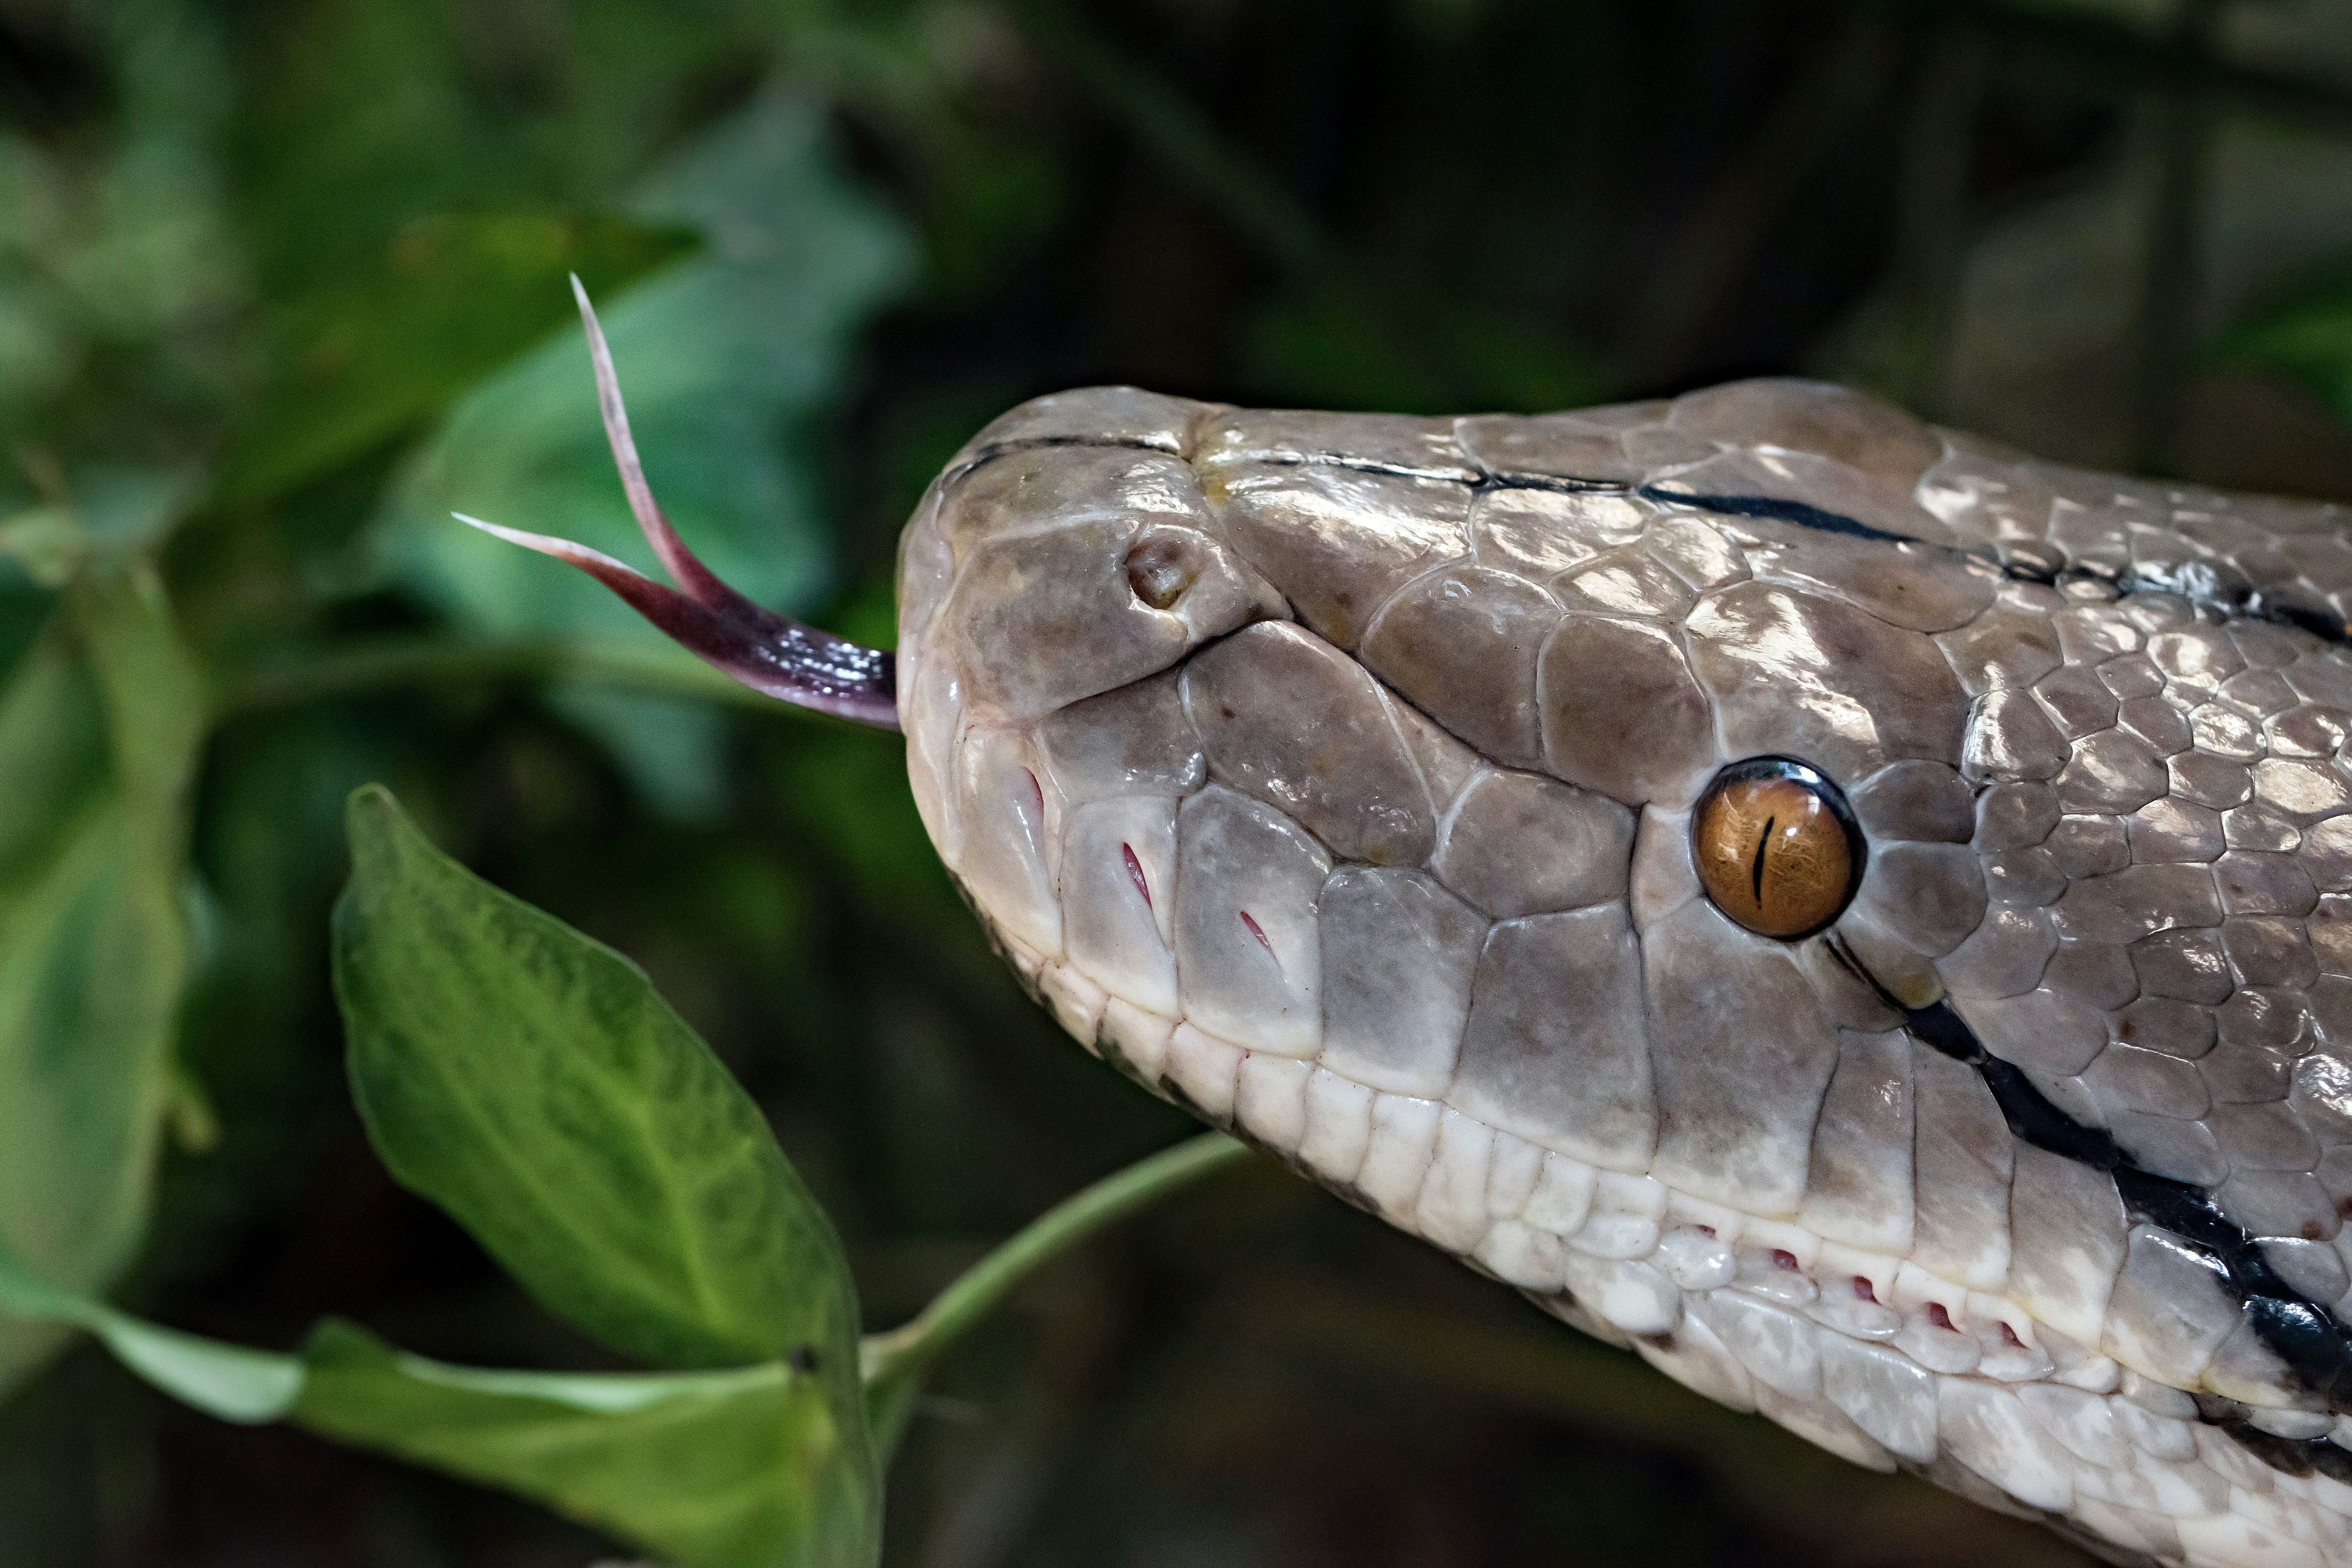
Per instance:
(980,1289)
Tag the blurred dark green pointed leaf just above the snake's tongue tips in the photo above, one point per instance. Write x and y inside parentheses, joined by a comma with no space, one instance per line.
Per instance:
(448,302)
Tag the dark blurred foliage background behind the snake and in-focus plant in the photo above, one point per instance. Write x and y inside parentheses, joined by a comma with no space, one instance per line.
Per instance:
(281,283)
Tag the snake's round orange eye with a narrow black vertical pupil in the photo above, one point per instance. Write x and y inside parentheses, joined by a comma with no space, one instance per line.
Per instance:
(1777,847)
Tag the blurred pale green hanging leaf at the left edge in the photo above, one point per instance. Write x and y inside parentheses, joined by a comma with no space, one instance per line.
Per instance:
(98,737)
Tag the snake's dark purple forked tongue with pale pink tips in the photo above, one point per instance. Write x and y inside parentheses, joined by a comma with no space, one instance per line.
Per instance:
(759,648)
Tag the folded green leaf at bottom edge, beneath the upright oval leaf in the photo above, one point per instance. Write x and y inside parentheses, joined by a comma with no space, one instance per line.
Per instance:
(749,1468)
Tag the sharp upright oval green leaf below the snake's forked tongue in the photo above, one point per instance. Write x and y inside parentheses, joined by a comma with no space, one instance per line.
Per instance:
(535,1085)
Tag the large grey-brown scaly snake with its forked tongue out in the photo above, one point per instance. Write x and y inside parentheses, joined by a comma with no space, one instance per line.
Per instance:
(1843,909)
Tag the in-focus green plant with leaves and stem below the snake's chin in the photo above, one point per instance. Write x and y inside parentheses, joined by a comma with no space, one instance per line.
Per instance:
(535,1087)
